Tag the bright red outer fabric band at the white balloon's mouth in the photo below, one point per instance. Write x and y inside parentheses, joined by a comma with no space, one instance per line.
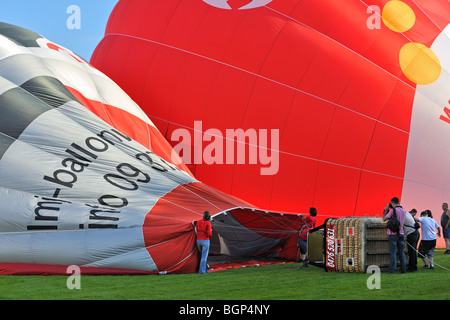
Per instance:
(168,230)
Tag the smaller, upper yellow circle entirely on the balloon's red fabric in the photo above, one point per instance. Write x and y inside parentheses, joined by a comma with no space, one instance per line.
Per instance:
(398,16)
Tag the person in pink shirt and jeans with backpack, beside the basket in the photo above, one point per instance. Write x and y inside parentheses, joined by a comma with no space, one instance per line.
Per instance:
(396,239)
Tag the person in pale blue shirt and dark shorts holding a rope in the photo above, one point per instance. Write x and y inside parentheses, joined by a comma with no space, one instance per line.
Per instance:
(428,242)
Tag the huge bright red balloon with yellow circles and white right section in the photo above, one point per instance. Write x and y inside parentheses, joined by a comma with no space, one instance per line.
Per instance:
(359,93)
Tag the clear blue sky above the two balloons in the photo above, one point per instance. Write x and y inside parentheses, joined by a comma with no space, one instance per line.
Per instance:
(49,18)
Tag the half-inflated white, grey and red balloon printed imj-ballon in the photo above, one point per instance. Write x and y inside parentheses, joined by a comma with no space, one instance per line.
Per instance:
(86,178)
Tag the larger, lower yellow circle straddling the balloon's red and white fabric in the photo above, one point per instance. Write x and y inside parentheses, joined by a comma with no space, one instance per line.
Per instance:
(419,63)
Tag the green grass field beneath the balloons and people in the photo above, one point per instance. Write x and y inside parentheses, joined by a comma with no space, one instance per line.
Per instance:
(274,282)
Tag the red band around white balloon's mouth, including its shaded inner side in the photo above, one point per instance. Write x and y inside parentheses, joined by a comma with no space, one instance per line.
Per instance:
(170,235)
